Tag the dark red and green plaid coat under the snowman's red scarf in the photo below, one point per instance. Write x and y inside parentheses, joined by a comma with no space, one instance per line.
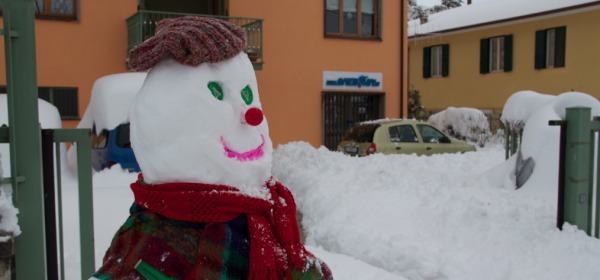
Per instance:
(186,250)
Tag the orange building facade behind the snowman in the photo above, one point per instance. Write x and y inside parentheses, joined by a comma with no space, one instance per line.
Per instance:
(321,65)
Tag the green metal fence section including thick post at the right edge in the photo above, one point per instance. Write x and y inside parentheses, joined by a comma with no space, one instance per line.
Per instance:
(579,170)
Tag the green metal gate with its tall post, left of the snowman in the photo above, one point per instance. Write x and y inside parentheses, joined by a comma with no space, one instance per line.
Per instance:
(38,251)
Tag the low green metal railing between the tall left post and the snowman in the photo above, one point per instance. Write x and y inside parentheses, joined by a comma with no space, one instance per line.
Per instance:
(53,203)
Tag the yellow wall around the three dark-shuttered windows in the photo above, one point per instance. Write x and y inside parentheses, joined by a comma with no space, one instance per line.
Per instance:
(465,87)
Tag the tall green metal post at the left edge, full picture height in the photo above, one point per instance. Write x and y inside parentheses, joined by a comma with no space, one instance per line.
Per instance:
(25,137)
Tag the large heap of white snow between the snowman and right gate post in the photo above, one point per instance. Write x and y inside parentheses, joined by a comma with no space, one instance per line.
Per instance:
(434,217)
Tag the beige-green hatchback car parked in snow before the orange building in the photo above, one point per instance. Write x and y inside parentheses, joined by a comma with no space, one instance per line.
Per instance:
(399,136)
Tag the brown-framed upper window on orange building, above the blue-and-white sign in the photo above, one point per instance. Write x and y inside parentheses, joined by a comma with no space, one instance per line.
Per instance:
(352,18)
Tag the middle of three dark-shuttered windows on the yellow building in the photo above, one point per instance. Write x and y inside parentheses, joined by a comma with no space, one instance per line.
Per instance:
(496,54)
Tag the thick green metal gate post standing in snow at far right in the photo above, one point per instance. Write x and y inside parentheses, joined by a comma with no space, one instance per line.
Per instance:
(578,179)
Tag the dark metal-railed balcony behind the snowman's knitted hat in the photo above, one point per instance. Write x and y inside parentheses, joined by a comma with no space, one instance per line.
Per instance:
(142,25)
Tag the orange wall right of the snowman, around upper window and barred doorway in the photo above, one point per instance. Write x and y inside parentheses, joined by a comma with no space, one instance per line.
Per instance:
(296,54)
